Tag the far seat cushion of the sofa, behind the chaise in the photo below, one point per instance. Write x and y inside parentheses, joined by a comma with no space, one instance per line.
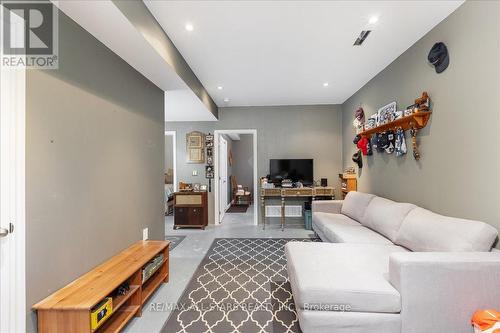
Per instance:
(353,234)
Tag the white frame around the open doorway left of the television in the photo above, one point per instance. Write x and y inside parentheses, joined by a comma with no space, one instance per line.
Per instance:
(217,134)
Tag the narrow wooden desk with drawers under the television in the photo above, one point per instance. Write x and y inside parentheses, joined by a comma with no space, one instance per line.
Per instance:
(283,193)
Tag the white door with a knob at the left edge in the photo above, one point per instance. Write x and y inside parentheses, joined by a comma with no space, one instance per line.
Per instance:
(12,199)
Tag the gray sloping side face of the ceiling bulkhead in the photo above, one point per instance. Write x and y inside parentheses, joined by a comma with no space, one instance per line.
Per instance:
(140,16)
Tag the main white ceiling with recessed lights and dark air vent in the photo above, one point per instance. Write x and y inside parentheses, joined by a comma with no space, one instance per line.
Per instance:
(281,52)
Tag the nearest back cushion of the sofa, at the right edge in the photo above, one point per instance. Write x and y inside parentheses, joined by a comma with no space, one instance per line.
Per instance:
(423,230)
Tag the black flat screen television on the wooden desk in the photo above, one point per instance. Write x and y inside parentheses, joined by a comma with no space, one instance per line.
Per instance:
(298,170)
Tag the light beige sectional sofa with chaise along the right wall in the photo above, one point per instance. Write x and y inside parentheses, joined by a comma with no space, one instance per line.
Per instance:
(389,267)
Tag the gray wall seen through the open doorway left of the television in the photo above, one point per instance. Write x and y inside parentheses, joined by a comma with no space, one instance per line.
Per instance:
(243,160)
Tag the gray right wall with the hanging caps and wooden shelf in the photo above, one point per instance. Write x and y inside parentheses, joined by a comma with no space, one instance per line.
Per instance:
(457,173)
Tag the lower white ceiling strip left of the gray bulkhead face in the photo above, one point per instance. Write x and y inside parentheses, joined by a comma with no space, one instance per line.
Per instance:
(103,19)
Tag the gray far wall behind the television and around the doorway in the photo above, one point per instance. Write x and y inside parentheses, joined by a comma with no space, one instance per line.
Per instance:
(282,132)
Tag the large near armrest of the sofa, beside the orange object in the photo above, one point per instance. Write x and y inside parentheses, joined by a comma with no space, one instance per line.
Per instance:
(440,291)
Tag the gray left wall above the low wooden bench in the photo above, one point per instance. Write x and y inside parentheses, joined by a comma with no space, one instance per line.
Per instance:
(94,162)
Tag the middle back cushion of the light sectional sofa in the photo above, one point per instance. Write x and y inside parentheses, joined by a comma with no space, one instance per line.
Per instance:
(385,216)
